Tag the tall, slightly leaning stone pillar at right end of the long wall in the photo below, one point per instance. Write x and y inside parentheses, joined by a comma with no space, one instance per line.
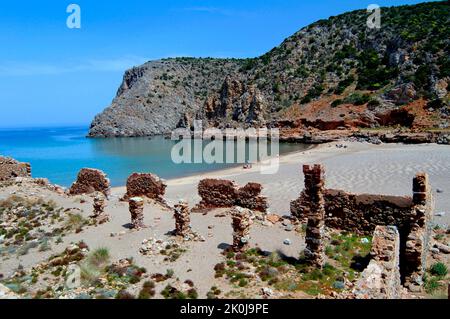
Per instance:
(417,240)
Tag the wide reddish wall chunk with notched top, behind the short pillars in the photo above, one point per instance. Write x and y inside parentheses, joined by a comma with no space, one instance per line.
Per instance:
(216,193)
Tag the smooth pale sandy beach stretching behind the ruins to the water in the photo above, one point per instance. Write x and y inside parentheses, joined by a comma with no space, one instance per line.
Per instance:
(360,168)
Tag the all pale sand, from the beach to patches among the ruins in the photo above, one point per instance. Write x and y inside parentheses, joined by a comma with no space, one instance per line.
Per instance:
(357,167)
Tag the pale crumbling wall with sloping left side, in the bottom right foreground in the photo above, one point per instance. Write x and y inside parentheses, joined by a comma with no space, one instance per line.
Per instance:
(381,279)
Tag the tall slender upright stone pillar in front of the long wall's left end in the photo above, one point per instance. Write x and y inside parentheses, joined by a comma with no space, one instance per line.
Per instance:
(314,188)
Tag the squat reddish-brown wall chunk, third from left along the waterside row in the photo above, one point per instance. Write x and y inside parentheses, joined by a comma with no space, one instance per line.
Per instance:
(145,186)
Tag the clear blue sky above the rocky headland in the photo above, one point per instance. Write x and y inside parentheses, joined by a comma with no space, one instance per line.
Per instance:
(53,75)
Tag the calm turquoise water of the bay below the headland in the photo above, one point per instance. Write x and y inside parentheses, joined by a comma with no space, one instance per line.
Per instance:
(59,153)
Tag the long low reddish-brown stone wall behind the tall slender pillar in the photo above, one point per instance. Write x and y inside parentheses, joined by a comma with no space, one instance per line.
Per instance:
(359,213)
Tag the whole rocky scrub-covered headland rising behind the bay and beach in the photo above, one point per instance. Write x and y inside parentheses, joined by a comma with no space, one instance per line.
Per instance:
(333,73)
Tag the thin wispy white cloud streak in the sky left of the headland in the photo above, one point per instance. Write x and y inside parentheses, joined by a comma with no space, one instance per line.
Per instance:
(16,68)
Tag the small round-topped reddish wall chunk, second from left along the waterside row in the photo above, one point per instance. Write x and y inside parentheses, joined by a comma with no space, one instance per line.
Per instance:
(90,181)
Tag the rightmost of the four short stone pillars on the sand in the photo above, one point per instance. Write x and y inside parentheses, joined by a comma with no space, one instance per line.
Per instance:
(241,222)
